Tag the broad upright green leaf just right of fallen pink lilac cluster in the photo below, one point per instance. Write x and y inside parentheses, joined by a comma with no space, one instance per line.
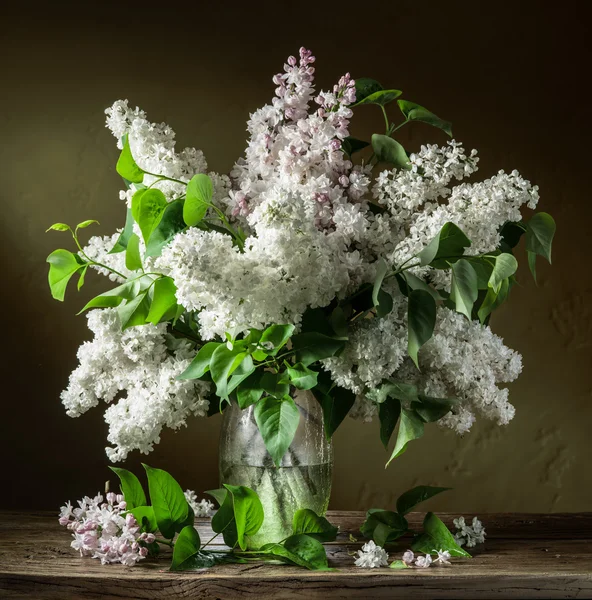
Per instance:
(171,509)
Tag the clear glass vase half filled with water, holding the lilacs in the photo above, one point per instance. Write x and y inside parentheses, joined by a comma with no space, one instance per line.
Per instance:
(303,479)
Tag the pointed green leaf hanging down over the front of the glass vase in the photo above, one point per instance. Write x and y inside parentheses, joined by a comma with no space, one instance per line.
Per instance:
(278,421)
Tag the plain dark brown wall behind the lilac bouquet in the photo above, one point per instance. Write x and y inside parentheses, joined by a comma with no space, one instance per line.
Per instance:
(510,77)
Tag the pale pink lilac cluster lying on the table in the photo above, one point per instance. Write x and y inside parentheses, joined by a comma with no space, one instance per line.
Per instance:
(102,529)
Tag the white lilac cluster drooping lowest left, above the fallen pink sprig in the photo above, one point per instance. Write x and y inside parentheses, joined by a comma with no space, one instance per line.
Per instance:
(137,362)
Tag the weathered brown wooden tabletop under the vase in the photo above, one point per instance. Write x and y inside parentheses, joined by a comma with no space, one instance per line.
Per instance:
(525,556)
